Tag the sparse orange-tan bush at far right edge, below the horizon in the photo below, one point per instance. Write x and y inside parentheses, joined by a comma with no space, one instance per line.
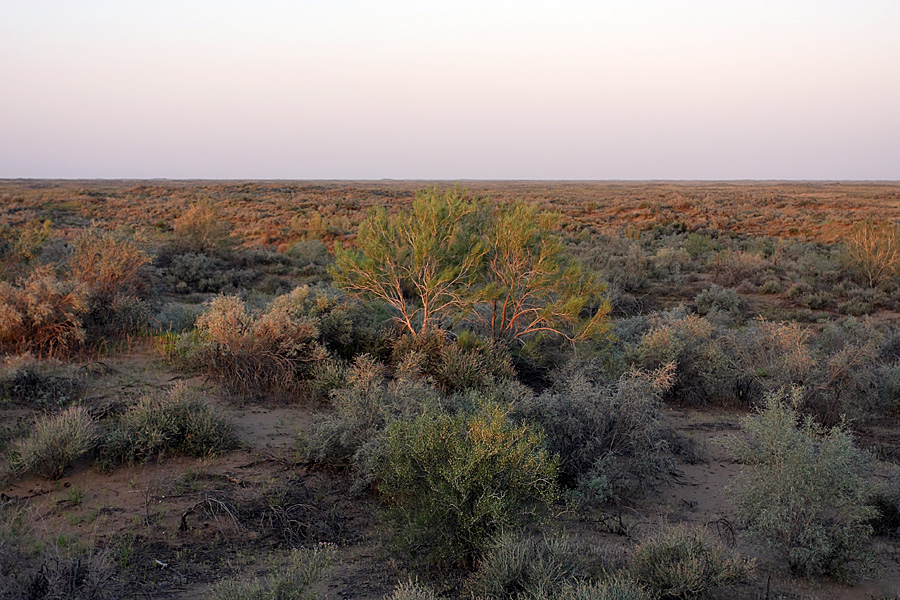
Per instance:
(873,249)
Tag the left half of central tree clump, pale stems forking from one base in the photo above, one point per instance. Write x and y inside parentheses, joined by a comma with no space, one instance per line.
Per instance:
(419,262)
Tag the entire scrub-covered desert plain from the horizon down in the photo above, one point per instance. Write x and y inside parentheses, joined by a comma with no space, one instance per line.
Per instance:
(393,390)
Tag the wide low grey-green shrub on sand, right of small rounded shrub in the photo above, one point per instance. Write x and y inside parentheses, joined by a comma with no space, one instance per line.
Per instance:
(178,422)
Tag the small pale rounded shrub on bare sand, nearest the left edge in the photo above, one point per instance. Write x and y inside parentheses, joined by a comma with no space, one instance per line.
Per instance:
(57,441)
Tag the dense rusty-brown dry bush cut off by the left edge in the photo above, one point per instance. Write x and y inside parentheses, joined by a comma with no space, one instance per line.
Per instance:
(42,314)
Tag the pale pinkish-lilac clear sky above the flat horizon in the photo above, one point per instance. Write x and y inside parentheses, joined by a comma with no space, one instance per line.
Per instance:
(344,89)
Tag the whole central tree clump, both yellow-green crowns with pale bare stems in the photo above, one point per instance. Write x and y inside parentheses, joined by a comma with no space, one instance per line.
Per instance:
(450,258)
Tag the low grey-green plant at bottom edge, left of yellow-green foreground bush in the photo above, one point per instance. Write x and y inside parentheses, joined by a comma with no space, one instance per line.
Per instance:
(292,580)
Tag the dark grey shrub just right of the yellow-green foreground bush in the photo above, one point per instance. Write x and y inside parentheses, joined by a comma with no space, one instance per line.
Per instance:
(609,438)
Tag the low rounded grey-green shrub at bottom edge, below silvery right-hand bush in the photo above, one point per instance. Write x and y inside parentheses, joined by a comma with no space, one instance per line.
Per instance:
(686,562)
